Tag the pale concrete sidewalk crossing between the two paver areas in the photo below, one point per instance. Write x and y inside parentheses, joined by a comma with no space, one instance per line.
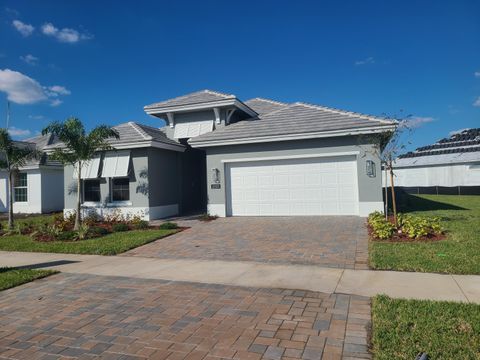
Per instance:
(465,288)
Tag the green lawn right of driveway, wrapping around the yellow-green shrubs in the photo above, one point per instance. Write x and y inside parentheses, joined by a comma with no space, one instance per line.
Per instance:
(459,253)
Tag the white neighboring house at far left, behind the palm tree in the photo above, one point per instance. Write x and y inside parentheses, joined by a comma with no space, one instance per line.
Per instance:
(38,185)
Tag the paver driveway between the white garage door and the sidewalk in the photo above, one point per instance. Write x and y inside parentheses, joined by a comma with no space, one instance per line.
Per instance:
(339,242)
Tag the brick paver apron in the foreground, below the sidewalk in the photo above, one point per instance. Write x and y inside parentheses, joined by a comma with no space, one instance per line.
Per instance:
(70,316)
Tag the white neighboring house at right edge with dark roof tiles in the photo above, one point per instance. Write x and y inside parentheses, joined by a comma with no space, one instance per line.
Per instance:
(450,166)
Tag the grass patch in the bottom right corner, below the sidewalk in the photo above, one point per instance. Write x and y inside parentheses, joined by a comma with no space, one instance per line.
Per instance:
(444,330)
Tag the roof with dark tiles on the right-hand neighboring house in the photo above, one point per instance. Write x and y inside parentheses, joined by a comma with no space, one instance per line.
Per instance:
(460,147)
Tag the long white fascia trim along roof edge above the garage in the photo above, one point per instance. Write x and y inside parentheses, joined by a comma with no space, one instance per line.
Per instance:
(313,135)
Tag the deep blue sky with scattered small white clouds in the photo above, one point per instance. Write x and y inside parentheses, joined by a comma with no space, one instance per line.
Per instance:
(102,61)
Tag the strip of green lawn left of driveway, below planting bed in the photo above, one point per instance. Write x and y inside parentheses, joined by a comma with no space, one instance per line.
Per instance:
(110,244)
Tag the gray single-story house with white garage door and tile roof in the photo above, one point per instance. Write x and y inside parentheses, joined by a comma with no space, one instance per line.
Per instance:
(219,154)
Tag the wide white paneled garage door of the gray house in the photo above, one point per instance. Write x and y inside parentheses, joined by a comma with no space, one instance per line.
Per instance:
(313,186)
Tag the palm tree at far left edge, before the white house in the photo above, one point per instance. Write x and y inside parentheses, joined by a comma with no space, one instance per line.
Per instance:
(14,155)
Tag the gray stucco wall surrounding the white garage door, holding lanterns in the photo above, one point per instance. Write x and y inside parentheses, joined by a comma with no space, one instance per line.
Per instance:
(369,188)
